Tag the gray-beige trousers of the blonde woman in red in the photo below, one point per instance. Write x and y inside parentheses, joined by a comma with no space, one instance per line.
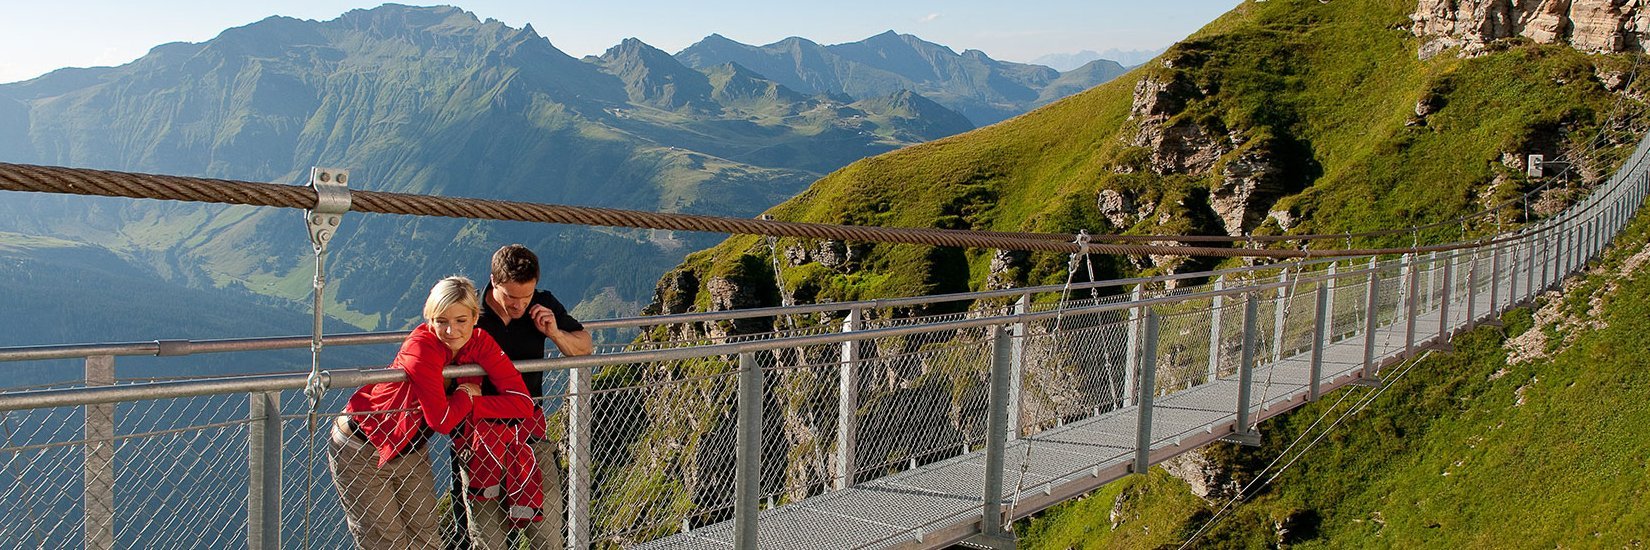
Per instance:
(387,508)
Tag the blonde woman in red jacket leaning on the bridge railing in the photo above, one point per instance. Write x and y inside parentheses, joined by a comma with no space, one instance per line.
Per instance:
(377,455)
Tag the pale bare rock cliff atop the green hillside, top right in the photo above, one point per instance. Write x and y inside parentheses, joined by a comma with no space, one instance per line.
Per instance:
(1590,26)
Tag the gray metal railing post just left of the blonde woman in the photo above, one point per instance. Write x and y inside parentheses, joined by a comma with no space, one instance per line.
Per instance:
(263,485)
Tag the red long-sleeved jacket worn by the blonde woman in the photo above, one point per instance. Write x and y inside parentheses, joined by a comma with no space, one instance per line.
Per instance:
(423,401)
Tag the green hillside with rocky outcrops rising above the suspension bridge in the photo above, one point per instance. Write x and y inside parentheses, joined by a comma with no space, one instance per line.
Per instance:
(1278,118)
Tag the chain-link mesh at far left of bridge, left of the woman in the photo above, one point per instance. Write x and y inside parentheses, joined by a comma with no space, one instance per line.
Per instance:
(106,480)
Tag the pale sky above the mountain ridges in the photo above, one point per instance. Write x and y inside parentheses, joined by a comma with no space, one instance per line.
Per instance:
(40,37)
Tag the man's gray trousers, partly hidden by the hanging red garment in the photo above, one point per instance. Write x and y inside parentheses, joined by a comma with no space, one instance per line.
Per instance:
(489,526)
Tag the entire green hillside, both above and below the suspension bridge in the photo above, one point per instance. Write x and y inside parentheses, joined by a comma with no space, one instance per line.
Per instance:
(1278,118)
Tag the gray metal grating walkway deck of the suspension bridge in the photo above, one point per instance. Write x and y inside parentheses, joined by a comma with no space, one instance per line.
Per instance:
(940,505)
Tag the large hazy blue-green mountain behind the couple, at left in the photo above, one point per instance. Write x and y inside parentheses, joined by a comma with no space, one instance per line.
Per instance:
(427,102)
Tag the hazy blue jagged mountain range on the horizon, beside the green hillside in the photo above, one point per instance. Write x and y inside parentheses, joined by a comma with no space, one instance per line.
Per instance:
(971,83)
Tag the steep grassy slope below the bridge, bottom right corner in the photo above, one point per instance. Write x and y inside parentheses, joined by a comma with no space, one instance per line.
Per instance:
(1446,458)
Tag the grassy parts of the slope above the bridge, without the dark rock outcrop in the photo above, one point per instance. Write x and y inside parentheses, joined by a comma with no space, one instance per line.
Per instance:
(1327,87)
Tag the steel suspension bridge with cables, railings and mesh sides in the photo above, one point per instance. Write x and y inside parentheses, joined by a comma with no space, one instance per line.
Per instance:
(846,427)
